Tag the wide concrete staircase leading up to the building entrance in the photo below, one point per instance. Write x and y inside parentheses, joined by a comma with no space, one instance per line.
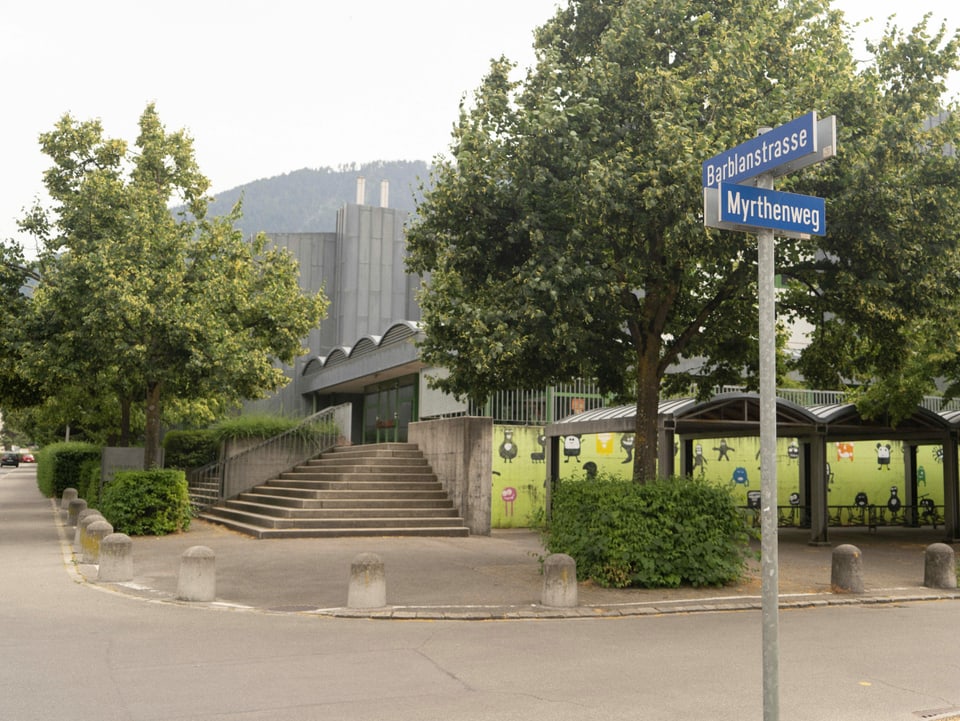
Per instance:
(384,489)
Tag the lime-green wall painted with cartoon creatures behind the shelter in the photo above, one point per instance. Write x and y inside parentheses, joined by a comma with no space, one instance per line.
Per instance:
(871,467)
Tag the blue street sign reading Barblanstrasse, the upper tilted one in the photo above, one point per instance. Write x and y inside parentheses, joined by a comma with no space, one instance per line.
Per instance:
(774,151)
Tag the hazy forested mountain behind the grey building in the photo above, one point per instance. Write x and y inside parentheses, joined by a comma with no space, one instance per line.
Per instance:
(307,200)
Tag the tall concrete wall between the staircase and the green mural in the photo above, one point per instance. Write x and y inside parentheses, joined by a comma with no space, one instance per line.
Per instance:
(460,451)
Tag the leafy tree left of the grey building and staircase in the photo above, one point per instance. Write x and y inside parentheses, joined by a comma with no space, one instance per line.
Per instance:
(143,306)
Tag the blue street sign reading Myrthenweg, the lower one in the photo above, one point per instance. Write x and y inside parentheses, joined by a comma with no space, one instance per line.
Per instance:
(744,207)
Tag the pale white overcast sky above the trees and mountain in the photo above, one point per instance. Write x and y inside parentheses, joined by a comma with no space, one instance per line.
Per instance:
(266,88)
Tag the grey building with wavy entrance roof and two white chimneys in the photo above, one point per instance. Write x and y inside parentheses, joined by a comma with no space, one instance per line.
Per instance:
(364,352)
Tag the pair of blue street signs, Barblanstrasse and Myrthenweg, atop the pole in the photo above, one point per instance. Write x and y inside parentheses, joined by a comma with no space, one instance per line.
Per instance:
(731,202)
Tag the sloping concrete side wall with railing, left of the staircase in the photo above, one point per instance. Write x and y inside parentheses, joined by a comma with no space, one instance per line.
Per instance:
(253,466)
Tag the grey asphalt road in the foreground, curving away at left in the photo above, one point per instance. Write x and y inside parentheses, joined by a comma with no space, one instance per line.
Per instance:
(71,651)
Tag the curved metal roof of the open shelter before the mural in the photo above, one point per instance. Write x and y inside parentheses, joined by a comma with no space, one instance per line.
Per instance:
(732,414)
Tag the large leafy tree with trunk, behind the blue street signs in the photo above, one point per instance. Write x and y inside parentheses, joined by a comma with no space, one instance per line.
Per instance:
(564,235)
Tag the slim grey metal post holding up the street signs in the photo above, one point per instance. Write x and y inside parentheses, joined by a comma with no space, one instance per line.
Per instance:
(769,564)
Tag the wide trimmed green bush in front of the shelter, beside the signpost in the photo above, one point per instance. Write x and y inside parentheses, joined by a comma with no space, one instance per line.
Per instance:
(661,534)
